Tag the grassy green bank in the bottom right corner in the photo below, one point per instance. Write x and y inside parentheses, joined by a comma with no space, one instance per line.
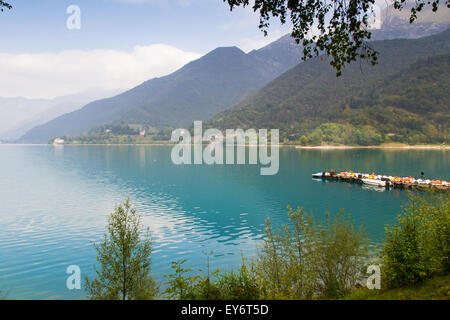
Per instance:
(437,288)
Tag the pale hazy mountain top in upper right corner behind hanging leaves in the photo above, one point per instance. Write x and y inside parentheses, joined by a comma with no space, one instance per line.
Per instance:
(395,24)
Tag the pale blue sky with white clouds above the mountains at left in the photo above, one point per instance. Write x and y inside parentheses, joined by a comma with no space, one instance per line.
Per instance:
(120,43)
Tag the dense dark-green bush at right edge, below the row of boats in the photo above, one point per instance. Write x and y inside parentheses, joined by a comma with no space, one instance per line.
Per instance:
(417,247)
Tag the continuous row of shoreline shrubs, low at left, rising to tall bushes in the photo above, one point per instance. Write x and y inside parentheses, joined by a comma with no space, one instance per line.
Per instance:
(304,260)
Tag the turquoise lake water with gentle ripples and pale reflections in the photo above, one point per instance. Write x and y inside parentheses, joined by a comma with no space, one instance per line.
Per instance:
(54,202)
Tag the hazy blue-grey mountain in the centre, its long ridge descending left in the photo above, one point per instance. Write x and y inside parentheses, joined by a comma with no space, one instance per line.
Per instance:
(197,91)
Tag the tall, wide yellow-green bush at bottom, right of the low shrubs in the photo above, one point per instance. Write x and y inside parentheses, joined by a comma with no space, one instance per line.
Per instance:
(311,260)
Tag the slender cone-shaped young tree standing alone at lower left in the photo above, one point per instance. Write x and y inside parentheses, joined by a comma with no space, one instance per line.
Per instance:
(124,257)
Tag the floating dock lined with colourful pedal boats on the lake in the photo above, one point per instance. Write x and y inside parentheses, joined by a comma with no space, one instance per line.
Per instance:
(383,181)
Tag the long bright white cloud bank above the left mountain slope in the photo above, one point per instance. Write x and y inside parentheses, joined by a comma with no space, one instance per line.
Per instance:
(47,75)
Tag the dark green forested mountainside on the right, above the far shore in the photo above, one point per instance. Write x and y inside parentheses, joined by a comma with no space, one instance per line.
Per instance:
(406,94)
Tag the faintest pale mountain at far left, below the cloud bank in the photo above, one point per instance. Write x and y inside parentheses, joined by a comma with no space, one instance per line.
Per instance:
(18,115)
